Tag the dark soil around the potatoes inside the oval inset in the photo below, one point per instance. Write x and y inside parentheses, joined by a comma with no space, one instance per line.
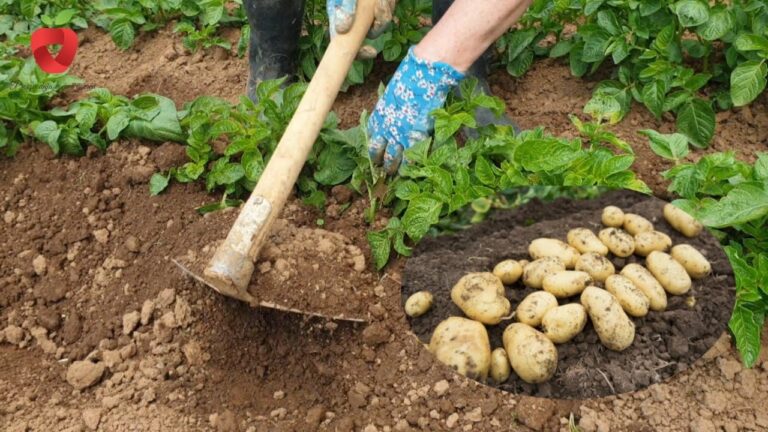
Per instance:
(666,342)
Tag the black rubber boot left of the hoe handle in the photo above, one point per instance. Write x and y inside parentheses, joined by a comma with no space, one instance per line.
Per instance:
(274,46)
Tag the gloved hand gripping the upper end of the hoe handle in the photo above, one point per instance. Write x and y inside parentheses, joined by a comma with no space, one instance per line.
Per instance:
(341,16)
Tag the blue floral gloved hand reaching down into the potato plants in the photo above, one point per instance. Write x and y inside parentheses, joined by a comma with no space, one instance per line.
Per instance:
(402,117)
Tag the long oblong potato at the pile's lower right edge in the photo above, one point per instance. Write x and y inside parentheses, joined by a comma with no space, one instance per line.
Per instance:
(614,328)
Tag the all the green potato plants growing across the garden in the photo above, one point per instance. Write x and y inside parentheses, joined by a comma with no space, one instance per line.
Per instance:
(671,56)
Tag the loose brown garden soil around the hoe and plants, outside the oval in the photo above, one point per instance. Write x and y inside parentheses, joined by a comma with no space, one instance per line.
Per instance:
(86,276)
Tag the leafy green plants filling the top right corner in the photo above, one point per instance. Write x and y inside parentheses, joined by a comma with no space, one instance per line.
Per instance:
(667,54)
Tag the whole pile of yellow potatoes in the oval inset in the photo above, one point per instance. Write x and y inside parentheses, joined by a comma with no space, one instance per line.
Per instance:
(560,271)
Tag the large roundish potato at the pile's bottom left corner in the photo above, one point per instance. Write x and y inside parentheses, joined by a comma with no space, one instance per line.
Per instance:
(462,344)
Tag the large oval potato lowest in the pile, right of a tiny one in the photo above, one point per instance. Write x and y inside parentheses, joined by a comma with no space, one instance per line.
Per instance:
(531,354)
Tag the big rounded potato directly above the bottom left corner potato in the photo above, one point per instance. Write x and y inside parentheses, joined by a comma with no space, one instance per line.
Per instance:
(481,297)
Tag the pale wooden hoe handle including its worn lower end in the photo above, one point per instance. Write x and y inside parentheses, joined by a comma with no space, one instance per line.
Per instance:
(231,267)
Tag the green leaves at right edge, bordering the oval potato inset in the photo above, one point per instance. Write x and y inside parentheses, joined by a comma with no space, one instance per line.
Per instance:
(731,197)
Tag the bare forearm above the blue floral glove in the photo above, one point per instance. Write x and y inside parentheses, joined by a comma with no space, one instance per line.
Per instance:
(467,29)
